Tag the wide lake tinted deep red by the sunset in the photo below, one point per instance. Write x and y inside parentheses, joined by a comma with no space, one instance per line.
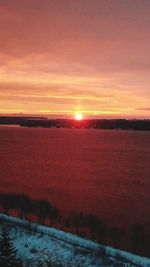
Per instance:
(105,172)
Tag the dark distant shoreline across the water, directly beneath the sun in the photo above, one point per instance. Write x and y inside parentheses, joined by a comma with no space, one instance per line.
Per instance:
(141,125)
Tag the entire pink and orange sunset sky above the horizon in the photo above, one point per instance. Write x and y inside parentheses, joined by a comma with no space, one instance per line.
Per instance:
(60,57)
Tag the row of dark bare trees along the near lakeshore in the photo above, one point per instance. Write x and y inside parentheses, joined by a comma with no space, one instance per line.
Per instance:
(86,225)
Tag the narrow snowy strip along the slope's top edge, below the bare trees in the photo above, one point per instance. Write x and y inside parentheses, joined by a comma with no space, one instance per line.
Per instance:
(75,241)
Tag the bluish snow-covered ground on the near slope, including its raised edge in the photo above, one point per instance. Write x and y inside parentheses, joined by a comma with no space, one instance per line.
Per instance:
(44,246)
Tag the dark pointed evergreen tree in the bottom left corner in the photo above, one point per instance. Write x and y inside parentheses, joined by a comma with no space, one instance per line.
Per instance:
(8,253)
